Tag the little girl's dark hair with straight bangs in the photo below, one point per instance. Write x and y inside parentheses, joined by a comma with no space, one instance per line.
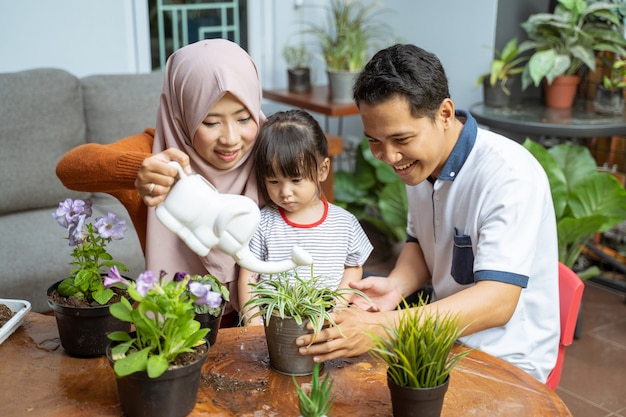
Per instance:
(290,144)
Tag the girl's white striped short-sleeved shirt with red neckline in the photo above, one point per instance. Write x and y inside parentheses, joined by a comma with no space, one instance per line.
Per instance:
(335,241)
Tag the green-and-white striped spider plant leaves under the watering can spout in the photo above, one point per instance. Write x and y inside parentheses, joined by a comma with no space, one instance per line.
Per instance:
(288,295)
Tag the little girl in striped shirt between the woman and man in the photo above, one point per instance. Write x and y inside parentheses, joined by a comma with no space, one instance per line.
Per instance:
(291,160)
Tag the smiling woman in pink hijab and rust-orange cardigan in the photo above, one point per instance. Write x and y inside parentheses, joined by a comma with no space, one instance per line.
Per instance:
(208,118)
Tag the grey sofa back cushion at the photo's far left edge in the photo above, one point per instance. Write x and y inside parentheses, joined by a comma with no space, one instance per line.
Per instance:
(41,118)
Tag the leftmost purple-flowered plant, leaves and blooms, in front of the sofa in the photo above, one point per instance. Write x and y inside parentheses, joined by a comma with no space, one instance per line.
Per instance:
(89,255)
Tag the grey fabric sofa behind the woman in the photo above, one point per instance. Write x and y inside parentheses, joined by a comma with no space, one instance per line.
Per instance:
(43,114)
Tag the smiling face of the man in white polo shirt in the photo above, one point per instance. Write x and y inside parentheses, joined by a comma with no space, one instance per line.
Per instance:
(414,147)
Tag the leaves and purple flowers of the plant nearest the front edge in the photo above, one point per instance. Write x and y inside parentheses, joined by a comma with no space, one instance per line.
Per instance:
(163,316)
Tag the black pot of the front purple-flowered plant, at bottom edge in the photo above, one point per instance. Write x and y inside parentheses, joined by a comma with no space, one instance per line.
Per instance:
(173,394)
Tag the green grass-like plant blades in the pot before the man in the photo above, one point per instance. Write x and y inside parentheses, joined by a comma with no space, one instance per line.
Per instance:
(418,349)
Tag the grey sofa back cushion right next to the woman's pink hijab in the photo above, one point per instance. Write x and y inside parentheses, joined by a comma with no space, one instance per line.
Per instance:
(109,99)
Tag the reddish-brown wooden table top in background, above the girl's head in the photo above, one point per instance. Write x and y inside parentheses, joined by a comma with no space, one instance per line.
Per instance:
(318,100)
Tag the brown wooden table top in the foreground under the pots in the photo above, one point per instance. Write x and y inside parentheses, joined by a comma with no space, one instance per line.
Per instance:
(38,379)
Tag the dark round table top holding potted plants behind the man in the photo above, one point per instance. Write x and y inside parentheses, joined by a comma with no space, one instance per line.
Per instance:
(531,117)
